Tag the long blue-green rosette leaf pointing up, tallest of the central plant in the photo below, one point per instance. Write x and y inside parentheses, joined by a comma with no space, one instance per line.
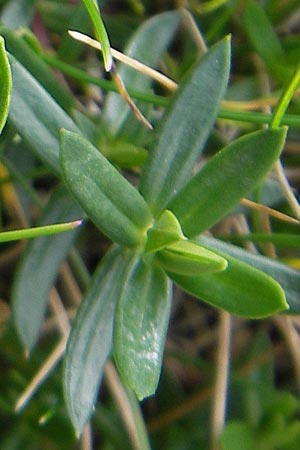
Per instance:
(185,128)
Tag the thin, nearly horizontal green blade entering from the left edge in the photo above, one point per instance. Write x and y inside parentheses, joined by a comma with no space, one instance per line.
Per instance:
(46,230)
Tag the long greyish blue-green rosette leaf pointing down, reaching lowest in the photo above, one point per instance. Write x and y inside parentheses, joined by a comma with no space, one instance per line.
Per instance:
(90,340)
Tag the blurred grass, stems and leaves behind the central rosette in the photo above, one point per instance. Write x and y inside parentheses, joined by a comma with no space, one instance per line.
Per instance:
(227,382)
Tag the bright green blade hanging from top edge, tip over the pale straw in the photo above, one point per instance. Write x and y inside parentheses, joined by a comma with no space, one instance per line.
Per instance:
(101,34)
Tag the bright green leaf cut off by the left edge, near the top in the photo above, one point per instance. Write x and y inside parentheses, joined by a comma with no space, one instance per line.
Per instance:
(5,84)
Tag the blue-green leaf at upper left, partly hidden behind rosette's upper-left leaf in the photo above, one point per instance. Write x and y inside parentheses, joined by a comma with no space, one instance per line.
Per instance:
(36,116)
